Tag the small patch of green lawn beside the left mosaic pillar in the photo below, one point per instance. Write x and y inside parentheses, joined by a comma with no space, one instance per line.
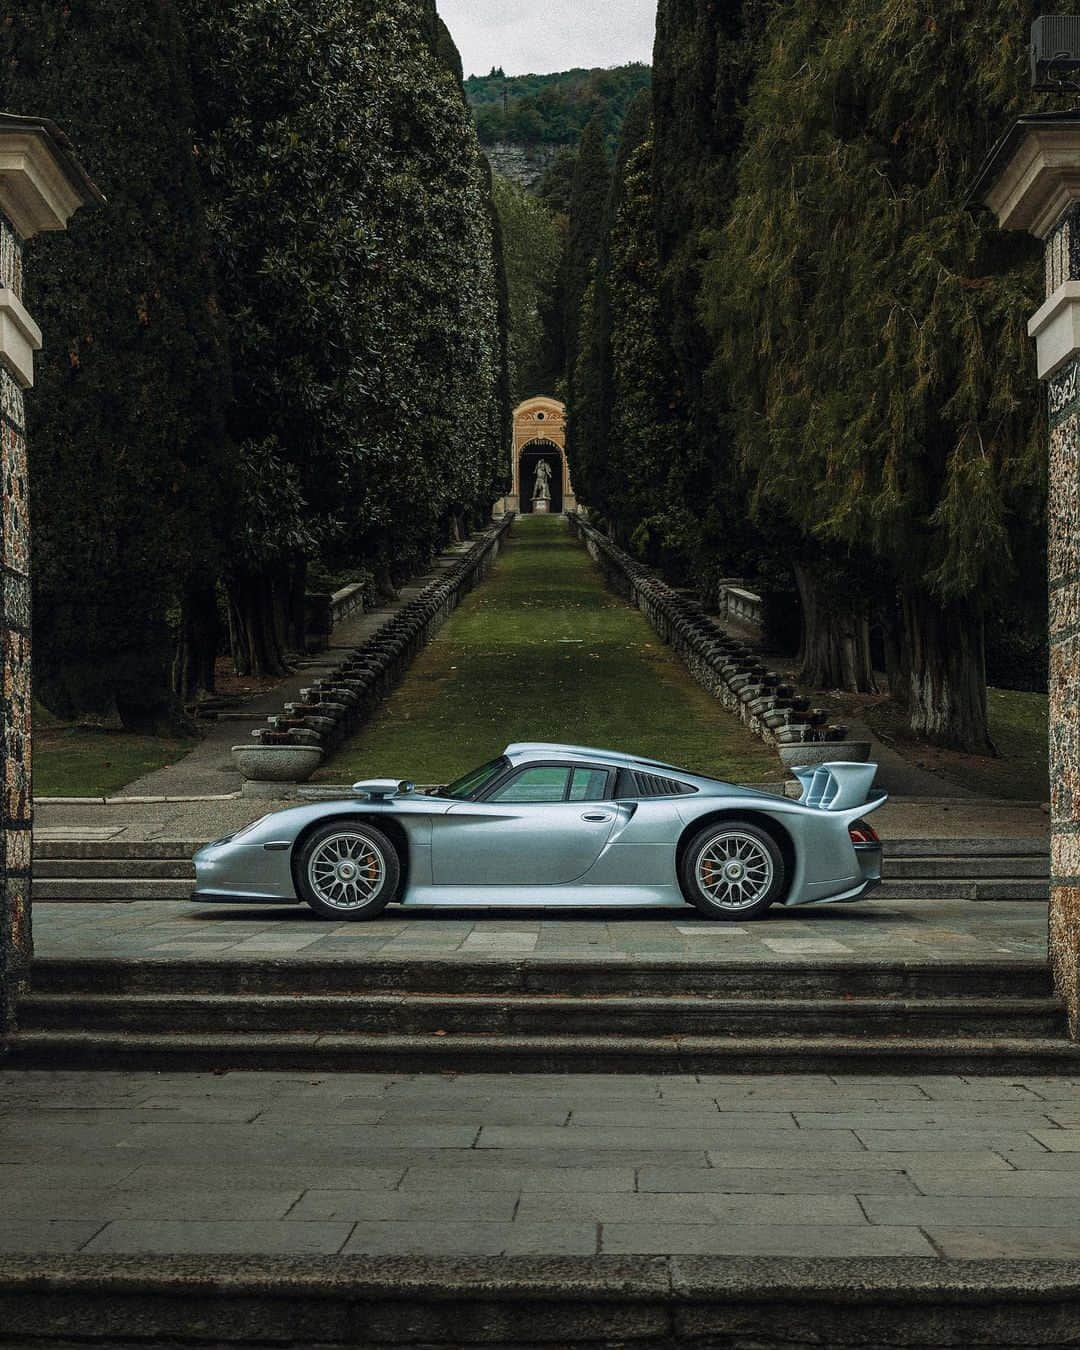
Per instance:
(87,762)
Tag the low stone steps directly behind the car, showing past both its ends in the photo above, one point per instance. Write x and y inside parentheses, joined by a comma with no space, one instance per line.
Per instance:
(934,870)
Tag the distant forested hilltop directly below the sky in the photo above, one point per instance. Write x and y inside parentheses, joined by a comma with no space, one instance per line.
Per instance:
(553,110)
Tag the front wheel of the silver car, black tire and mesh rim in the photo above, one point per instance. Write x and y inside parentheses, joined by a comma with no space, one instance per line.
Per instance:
(340,865)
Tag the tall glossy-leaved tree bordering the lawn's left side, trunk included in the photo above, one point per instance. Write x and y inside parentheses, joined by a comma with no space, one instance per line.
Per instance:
(357,252)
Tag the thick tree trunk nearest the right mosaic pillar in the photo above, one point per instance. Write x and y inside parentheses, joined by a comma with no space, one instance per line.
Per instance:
(947,682)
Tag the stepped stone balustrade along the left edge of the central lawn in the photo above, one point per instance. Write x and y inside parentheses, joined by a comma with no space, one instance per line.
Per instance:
(294,743)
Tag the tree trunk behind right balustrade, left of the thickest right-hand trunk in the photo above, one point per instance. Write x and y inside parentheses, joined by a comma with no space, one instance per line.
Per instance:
(835,637)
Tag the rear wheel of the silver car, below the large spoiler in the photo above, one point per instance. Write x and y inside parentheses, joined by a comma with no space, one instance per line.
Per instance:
(751,892)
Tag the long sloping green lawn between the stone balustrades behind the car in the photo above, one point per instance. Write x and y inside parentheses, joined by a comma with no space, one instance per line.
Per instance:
(545,651)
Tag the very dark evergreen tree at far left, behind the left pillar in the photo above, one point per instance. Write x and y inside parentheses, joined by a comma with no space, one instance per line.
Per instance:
(130,470)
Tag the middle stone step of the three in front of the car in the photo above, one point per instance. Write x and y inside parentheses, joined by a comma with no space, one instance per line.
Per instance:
(541,1016)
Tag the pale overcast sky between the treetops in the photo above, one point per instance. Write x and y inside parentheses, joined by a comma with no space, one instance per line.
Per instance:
(538,37)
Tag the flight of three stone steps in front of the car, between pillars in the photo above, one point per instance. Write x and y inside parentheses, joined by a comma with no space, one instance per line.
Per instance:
(545,1016)
